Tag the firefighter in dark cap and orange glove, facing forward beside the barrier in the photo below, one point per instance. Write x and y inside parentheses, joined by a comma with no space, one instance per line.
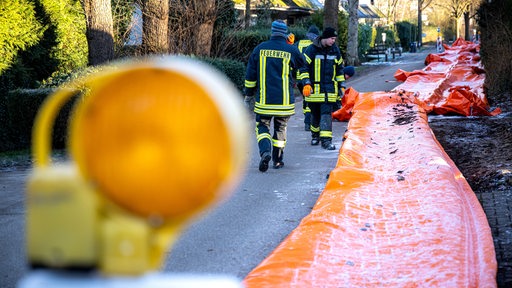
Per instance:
(322,78)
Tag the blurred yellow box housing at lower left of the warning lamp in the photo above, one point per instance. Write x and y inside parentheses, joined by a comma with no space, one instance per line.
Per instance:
(62,219)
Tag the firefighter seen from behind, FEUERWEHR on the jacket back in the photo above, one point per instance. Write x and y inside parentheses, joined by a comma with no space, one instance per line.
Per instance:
(269,80)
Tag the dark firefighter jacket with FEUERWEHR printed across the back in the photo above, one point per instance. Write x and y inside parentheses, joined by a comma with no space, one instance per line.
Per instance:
(269,76)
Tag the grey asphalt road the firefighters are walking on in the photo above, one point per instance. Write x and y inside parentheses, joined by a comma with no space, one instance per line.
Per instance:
(236,235)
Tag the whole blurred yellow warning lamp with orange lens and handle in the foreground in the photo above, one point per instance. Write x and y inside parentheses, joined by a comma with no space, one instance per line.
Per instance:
(152,144)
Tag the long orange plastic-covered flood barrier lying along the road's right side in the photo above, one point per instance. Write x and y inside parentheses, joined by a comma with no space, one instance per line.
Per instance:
(396,211)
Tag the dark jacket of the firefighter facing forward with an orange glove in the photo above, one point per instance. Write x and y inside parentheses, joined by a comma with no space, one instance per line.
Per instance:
(323,71)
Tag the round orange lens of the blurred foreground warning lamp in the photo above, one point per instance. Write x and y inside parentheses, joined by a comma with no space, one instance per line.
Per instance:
(154,141)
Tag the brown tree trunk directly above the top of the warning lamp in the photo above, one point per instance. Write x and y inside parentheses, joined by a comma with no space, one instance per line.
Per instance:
(155,17)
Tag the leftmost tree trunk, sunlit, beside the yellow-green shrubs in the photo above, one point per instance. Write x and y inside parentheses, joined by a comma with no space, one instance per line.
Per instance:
(99,31)
